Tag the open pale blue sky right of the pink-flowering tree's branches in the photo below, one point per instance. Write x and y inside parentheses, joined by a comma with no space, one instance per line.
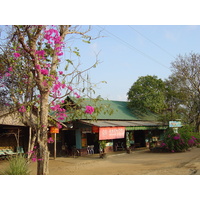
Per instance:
(128,52)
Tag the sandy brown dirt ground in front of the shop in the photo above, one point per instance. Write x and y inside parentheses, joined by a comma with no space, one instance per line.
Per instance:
(141,162)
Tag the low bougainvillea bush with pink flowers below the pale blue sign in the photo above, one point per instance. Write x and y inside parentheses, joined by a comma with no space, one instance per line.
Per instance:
(178,142)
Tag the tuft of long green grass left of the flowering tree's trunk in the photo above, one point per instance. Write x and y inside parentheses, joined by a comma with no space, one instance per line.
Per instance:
(17,166)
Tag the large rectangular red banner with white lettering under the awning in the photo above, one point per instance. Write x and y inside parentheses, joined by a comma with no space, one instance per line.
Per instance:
(109,133)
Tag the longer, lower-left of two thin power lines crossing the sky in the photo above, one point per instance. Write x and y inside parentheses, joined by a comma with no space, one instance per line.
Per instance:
(132,47)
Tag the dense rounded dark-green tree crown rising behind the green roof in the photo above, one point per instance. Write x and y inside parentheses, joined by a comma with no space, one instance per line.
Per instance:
(147,93)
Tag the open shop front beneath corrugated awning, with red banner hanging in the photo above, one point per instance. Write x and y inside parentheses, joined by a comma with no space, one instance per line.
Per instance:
(119,135)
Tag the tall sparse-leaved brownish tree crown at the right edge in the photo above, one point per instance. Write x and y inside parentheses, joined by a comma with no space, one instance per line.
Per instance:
(184,87)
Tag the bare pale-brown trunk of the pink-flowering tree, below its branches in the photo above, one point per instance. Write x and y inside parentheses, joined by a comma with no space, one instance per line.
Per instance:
(43,152)
